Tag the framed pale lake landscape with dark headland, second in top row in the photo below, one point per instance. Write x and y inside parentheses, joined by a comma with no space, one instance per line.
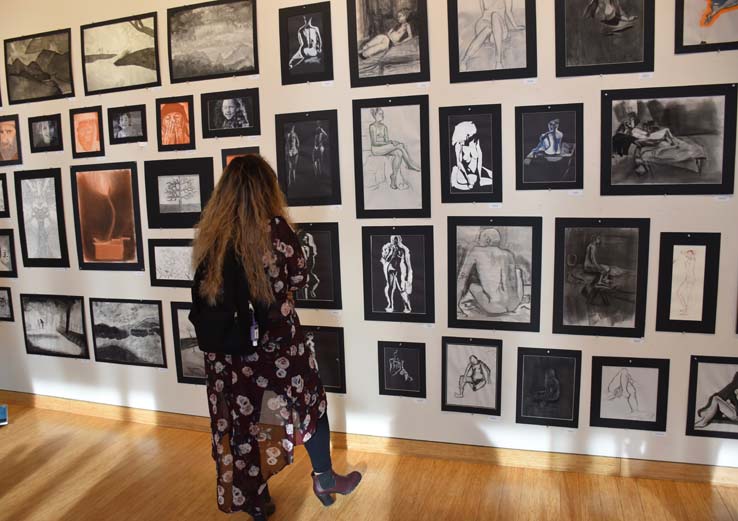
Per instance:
(120,54)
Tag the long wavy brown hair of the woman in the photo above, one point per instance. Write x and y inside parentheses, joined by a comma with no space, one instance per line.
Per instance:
(237,216)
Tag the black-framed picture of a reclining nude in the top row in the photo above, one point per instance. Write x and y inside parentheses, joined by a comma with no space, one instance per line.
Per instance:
(388,42)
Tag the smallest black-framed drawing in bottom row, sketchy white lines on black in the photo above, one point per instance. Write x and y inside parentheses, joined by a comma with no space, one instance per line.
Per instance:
(402,369)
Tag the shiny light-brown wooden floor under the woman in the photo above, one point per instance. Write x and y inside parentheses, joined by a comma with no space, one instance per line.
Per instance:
(59,467)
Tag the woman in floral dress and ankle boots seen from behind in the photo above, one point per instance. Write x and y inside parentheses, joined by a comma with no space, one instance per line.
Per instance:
(266,400)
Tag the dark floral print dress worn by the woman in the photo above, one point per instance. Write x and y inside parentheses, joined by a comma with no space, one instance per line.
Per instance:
(263,404)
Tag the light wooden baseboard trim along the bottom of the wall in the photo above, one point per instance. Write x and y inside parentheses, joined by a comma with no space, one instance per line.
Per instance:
(603,465)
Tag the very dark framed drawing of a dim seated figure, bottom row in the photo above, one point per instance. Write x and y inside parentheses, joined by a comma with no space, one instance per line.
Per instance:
(548,387)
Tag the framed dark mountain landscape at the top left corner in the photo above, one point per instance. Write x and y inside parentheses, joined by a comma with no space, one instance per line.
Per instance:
(39,67)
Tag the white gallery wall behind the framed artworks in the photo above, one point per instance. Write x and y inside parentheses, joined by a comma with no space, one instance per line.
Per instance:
(362,410)
